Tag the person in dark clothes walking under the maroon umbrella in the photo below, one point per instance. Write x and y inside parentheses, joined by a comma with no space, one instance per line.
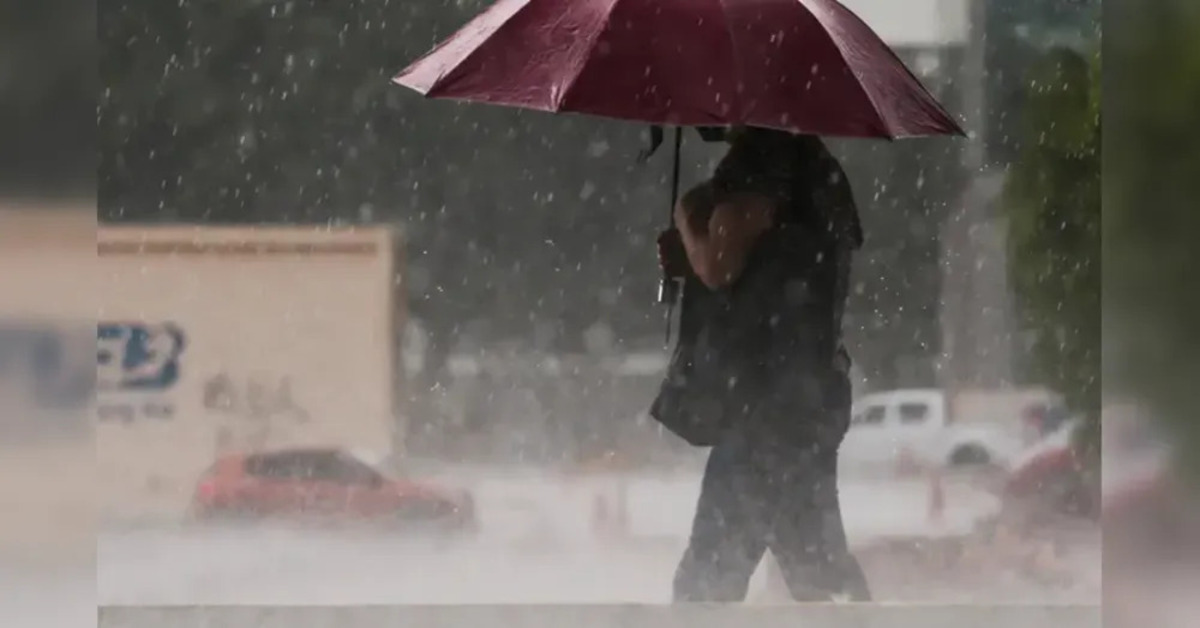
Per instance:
(760,373)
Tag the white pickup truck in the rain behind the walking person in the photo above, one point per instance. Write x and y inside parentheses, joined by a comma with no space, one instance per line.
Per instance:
(927,427)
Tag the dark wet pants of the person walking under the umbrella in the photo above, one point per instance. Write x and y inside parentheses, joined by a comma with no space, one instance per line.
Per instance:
(767,495)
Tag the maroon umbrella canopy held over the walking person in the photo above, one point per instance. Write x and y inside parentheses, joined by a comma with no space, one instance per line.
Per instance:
(807,67)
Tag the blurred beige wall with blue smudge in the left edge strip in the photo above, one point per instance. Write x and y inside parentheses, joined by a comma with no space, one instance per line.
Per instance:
(47,344)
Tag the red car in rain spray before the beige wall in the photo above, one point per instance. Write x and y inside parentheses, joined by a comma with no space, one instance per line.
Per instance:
(325,485)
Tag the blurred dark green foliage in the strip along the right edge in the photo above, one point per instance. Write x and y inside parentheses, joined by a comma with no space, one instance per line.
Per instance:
(1151,192)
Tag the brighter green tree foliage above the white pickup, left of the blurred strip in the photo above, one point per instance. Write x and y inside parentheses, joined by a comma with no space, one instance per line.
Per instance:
(1054,208)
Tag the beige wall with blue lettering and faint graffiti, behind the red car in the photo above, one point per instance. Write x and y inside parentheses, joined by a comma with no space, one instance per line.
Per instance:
(285,338)
